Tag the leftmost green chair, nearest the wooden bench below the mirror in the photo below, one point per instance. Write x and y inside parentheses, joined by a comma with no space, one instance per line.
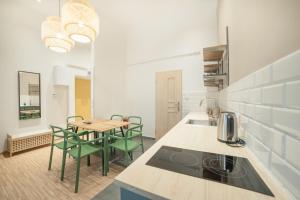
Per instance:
(64,142)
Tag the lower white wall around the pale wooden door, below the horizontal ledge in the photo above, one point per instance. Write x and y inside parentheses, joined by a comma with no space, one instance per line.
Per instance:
(140,86)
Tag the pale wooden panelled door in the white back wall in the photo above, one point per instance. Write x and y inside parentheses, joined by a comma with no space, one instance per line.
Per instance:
(168,101)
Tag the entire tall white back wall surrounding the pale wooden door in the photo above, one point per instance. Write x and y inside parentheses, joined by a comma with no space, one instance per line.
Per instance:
(162,36)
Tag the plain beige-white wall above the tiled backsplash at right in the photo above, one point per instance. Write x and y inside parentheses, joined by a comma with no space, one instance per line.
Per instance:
(269,28)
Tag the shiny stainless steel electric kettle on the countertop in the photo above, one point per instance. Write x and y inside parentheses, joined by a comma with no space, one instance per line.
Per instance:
(227,128)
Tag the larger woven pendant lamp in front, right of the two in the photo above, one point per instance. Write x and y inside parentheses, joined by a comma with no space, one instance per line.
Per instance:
(80,21)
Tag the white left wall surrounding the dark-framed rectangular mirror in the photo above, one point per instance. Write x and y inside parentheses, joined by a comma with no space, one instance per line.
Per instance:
(22,49)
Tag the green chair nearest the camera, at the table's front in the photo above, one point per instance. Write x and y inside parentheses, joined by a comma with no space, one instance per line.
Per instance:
(83,149)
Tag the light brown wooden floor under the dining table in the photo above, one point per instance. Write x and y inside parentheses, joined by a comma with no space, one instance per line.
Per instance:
(26,176)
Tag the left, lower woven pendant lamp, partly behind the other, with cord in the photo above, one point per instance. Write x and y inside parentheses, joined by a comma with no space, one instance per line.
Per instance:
(53,35)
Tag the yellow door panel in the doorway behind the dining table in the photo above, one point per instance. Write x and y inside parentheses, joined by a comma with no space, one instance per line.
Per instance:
(83,98)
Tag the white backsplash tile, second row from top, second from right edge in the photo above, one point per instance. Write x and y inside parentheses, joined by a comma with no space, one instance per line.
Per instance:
(273,95)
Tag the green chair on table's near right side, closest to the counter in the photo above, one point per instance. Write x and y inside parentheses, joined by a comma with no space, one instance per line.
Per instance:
(126,144)
